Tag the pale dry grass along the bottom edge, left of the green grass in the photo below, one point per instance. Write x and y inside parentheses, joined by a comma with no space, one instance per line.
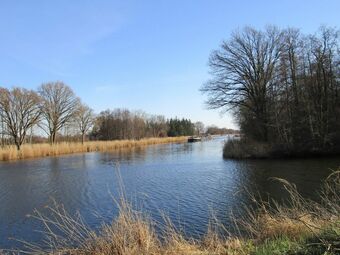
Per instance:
(131,233)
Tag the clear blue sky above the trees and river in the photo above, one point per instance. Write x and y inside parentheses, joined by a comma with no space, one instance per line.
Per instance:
(142,55)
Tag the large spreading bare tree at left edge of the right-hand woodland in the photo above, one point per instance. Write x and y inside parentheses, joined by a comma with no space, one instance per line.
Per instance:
(243,71)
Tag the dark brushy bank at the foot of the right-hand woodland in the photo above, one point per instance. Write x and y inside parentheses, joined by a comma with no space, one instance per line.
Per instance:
(247,149)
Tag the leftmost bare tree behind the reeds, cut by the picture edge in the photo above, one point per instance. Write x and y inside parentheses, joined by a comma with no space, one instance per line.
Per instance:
(20,111)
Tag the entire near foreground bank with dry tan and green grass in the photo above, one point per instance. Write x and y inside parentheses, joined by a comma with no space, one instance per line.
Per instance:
(300,227)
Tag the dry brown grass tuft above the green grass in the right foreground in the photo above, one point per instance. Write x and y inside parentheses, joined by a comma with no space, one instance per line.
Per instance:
(296,219)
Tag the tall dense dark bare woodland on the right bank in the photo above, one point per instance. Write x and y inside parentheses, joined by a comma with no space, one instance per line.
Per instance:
(282,85)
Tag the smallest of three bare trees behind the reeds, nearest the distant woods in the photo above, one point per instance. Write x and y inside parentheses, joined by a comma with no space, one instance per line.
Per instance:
(84,118)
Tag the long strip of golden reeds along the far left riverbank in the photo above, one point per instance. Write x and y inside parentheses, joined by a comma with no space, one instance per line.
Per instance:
(45,150)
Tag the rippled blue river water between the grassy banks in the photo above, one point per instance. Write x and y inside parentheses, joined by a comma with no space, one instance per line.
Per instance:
(185,181)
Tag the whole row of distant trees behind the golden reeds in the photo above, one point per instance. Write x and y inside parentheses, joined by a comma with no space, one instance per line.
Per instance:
(55,109)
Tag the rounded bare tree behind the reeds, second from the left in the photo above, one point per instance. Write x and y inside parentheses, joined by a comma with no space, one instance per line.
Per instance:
(59,105)
